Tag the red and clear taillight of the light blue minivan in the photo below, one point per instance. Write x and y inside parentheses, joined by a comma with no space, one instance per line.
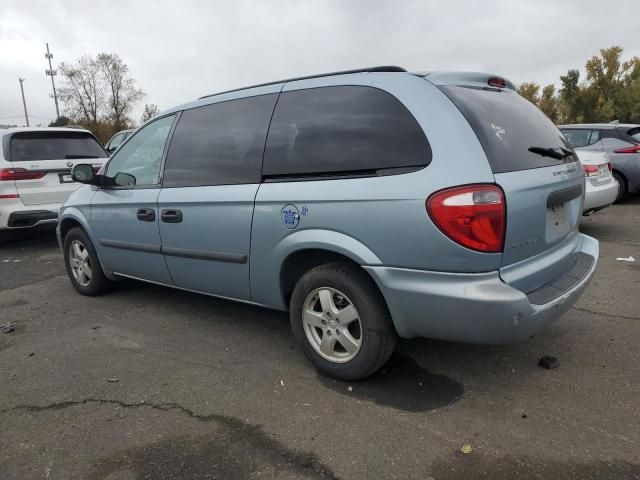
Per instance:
(473,216)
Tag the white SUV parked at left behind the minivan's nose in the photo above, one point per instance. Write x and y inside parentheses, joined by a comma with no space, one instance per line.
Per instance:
(35,171)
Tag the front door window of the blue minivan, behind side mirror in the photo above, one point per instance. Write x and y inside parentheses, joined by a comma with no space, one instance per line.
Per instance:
(142,156)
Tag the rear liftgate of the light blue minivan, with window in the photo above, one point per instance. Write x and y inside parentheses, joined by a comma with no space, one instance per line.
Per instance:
(538,170)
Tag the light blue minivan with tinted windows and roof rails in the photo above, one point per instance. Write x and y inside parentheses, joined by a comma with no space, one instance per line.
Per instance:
(370,204)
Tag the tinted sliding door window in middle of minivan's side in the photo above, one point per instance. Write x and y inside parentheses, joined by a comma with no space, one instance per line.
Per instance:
(219,144)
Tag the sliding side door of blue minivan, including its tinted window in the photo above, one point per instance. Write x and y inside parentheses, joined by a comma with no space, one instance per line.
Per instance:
(211,177)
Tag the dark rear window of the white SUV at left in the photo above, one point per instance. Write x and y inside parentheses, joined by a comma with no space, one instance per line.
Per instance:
(35,146)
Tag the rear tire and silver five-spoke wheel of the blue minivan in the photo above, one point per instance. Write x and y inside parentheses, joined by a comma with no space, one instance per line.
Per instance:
(341,321)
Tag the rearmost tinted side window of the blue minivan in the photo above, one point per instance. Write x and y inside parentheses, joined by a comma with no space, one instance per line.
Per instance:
(342,129)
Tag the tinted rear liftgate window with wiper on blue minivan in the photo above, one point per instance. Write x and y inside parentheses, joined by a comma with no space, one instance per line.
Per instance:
(507,125)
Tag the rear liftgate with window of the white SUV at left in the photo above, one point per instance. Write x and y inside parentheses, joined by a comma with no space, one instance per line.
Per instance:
(45,159)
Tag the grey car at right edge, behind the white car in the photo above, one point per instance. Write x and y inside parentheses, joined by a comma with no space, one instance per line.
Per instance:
(621,143)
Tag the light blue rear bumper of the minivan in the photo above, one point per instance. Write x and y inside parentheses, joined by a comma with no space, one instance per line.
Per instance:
(475,308)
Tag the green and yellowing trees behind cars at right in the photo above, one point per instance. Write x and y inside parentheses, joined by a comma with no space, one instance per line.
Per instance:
(610,91)
